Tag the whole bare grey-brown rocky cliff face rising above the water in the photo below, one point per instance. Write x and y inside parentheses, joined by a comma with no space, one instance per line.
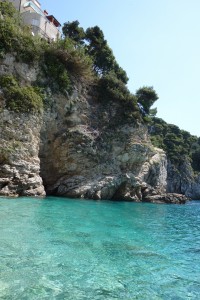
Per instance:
(79,147)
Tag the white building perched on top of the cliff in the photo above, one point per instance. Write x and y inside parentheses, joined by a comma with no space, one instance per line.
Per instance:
(40,22)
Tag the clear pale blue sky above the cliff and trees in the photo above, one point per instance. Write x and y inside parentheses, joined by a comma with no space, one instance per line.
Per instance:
(157,42)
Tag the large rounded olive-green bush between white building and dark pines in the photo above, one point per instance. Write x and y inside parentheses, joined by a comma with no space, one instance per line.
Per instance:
(62,62)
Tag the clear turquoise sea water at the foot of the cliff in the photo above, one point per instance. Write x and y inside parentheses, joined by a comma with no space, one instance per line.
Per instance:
(77,249)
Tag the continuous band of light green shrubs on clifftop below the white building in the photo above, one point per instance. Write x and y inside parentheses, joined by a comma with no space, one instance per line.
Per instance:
(59,60)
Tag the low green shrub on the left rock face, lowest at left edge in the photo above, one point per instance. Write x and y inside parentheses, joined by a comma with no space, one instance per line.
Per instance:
(20,99)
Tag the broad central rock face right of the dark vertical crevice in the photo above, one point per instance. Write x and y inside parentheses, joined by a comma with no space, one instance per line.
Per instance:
(86,151)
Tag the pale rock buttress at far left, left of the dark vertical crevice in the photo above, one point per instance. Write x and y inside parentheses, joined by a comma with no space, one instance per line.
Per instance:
(19,161)
